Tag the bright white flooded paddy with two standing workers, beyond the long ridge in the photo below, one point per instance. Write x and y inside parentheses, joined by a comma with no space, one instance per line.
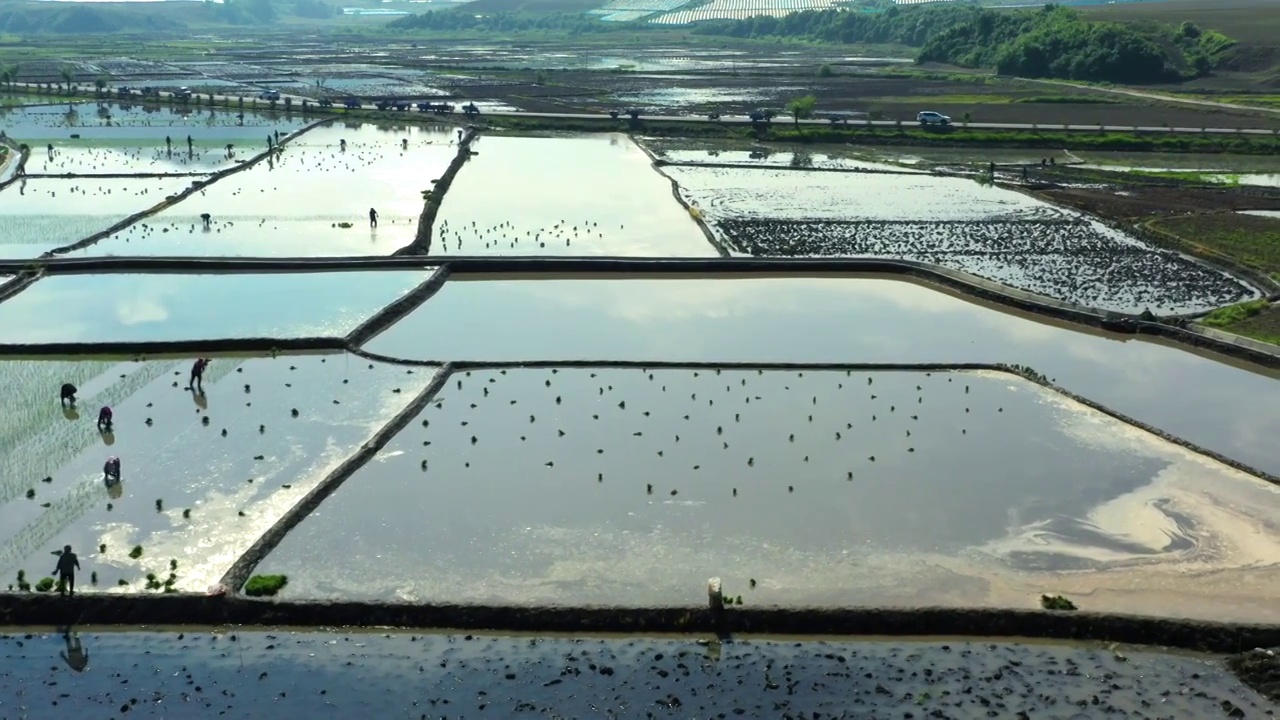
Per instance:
(294,204)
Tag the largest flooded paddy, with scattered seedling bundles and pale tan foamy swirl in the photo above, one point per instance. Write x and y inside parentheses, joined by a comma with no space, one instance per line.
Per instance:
(630,487)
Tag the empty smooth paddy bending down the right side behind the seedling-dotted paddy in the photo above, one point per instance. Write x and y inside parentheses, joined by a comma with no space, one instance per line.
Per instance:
(876,320)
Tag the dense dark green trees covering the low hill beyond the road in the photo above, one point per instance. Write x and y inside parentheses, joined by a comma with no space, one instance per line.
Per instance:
(1053,42)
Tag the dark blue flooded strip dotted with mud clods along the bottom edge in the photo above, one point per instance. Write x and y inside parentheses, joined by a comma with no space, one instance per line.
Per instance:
(317,675)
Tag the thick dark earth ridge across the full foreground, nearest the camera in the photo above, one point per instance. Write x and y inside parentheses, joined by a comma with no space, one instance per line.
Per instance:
(191,609)
